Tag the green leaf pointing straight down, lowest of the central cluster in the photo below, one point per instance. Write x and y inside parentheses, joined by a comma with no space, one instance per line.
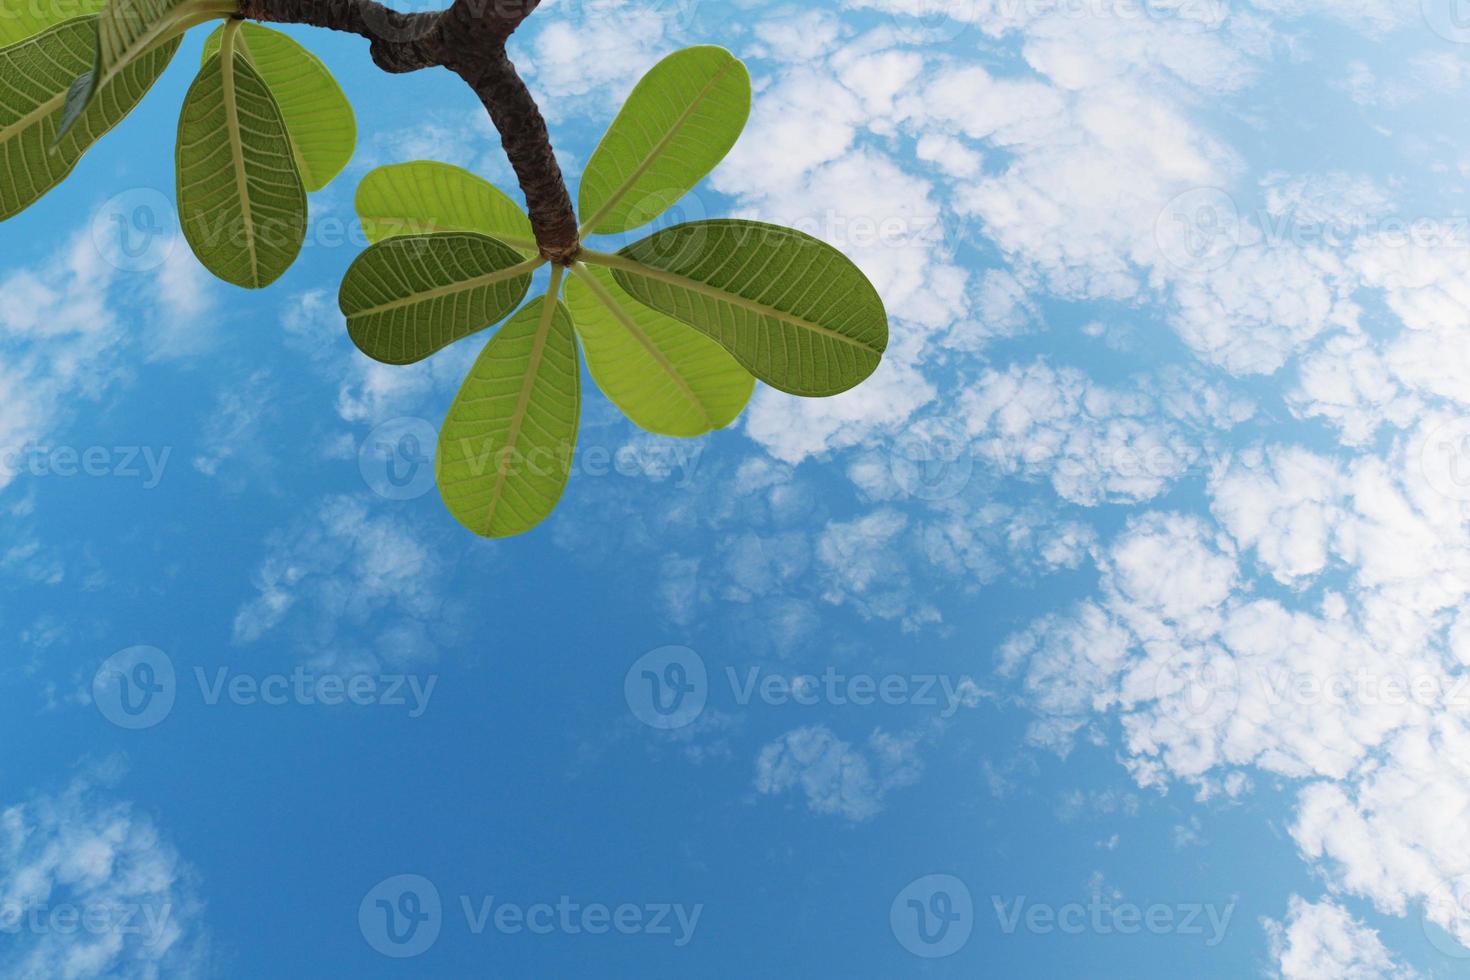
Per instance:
(506,446)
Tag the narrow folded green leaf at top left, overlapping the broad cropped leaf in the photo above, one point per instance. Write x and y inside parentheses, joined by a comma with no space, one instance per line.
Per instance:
(127,30)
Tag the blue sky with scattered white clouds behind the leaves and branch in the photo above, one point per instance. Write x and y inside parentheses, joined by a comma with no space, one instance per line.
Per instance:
(1116,627)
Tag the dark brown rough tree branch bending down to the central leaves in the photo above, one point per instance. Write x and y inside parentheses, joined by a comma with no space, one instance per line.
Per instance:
(468,39)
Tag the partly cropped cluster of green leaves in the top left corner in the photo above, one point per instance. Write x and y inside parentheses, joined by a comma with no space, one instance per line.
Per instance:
(264,123)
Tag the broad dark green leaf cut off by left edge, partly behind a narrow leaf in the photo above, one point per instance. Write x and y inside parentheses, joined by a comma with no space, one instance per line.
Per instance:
(39,74)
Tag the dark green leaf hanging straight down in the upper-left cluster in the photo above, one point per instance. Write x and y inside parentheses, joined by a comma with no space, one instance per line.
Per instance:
(242,203)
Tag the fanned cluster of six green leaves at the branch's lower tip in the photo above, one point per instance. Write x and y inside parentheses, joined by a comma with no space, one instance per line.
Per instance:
(675,328)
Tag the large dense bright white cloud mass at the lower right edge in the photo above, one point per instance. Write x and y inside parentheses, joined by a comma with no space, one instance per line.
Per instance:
(1359,699)
